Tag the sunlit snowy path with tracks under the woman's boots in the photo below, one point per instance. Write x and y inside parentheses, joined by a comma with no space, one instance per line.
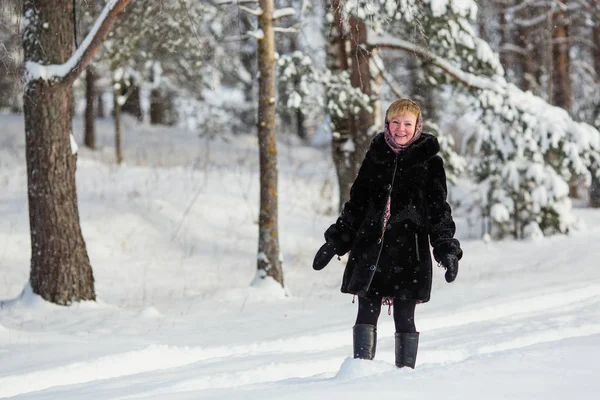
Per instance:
(530,324)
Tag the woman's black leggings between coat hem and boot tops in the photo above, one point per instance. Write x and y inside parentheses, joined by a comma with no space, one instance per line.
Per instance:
(404,313)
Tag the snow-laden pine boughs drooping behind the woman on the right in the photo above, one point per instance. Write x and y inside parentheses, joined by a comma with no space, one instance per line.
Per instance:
(524,150)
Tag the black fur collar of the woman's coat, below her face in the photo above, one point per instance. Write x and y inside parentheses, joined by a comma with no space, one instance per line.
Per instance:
(422,150)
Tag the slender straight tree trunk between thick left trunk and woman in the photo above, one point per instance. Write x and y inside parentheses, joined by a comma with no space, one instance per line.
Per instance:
(268,260)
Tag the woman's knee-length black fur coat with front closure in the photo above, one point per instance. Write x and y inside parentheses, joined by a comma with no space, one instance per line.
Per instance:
(400,264)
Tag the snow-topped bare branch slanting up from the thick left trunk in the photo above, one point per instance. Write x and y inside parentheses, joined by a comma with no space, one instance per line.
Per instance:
(66,73)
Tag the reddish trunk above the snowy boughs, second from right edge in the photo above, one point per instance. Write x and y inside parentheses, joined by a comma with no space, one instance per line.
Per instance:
(561,85)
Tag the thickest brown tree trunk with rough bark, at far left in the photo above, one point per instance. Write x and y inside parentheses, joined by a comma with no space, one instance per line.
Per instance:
(60,266)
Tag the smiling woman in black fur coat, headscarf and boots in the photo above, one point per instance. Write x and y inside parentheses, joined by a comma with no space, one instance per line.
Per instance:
(397,207)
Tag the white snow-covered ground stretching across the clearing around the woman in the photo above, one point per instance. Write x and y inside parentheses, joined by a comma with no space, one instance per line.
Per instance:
(172,237)
